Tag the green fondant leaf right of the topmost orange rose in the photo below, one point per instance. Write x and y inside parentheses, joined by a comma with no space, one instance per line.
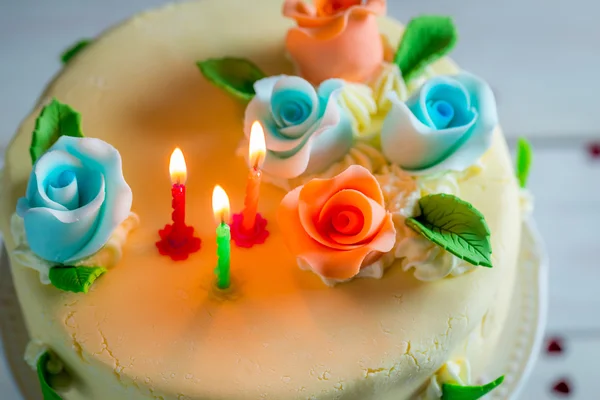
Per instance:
(426,39)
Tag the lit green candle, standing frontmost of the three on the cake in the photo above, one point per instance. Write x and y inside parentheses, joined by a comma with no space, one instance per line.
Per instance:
(221,211)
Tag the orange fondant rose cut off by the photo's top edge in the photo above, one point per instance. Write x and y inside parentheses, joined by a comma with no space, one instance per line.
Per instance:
(335,38)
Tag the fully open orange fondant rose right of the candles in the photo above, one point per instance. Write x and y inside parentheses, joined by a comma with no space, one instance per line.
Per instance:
(339,225)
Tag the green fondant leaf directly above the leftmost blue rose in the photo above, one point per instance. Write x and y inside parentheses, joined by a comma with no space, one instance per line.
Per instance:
(55,120)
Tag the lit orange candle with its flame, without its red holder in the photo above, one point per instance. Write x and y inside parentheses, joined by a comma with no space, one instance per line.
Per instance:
(256,156)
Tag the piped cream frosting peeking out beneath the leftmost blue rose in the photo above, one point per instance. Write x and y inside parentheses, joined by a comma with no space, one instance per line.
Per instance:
(108,256)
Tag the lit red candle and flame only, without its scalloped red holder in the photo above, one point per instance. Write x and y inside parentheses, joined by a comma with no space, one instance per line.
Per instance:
(178,171)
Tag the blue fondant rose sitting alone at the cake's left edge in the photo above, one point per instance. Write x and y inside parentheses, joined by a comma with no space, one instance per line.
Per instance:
(76,197)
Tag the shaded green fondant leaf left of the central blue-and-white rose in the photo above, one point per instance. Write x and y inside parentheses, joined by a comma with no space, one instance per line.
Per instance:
(234,75)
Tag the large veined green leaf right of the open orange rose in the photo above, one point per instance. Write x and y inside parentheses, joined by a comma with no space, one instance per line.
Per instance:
(456,226)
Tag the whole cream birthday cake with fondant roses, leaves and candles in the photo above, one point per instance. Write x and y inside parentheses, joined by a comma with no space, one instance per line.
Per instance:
(218,200)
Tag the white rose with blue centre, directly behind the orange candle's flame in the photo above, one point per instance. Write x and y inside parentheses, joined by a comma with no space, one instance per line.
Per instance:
(306,130)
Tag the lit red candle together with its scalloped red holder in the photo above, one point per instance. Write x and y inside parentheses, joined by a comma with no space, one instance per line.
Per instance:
(177,239)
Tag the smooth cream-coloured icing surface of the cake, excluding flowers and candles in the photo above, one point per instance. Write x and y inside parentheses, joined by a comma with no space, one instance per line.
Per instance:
(150,329)
